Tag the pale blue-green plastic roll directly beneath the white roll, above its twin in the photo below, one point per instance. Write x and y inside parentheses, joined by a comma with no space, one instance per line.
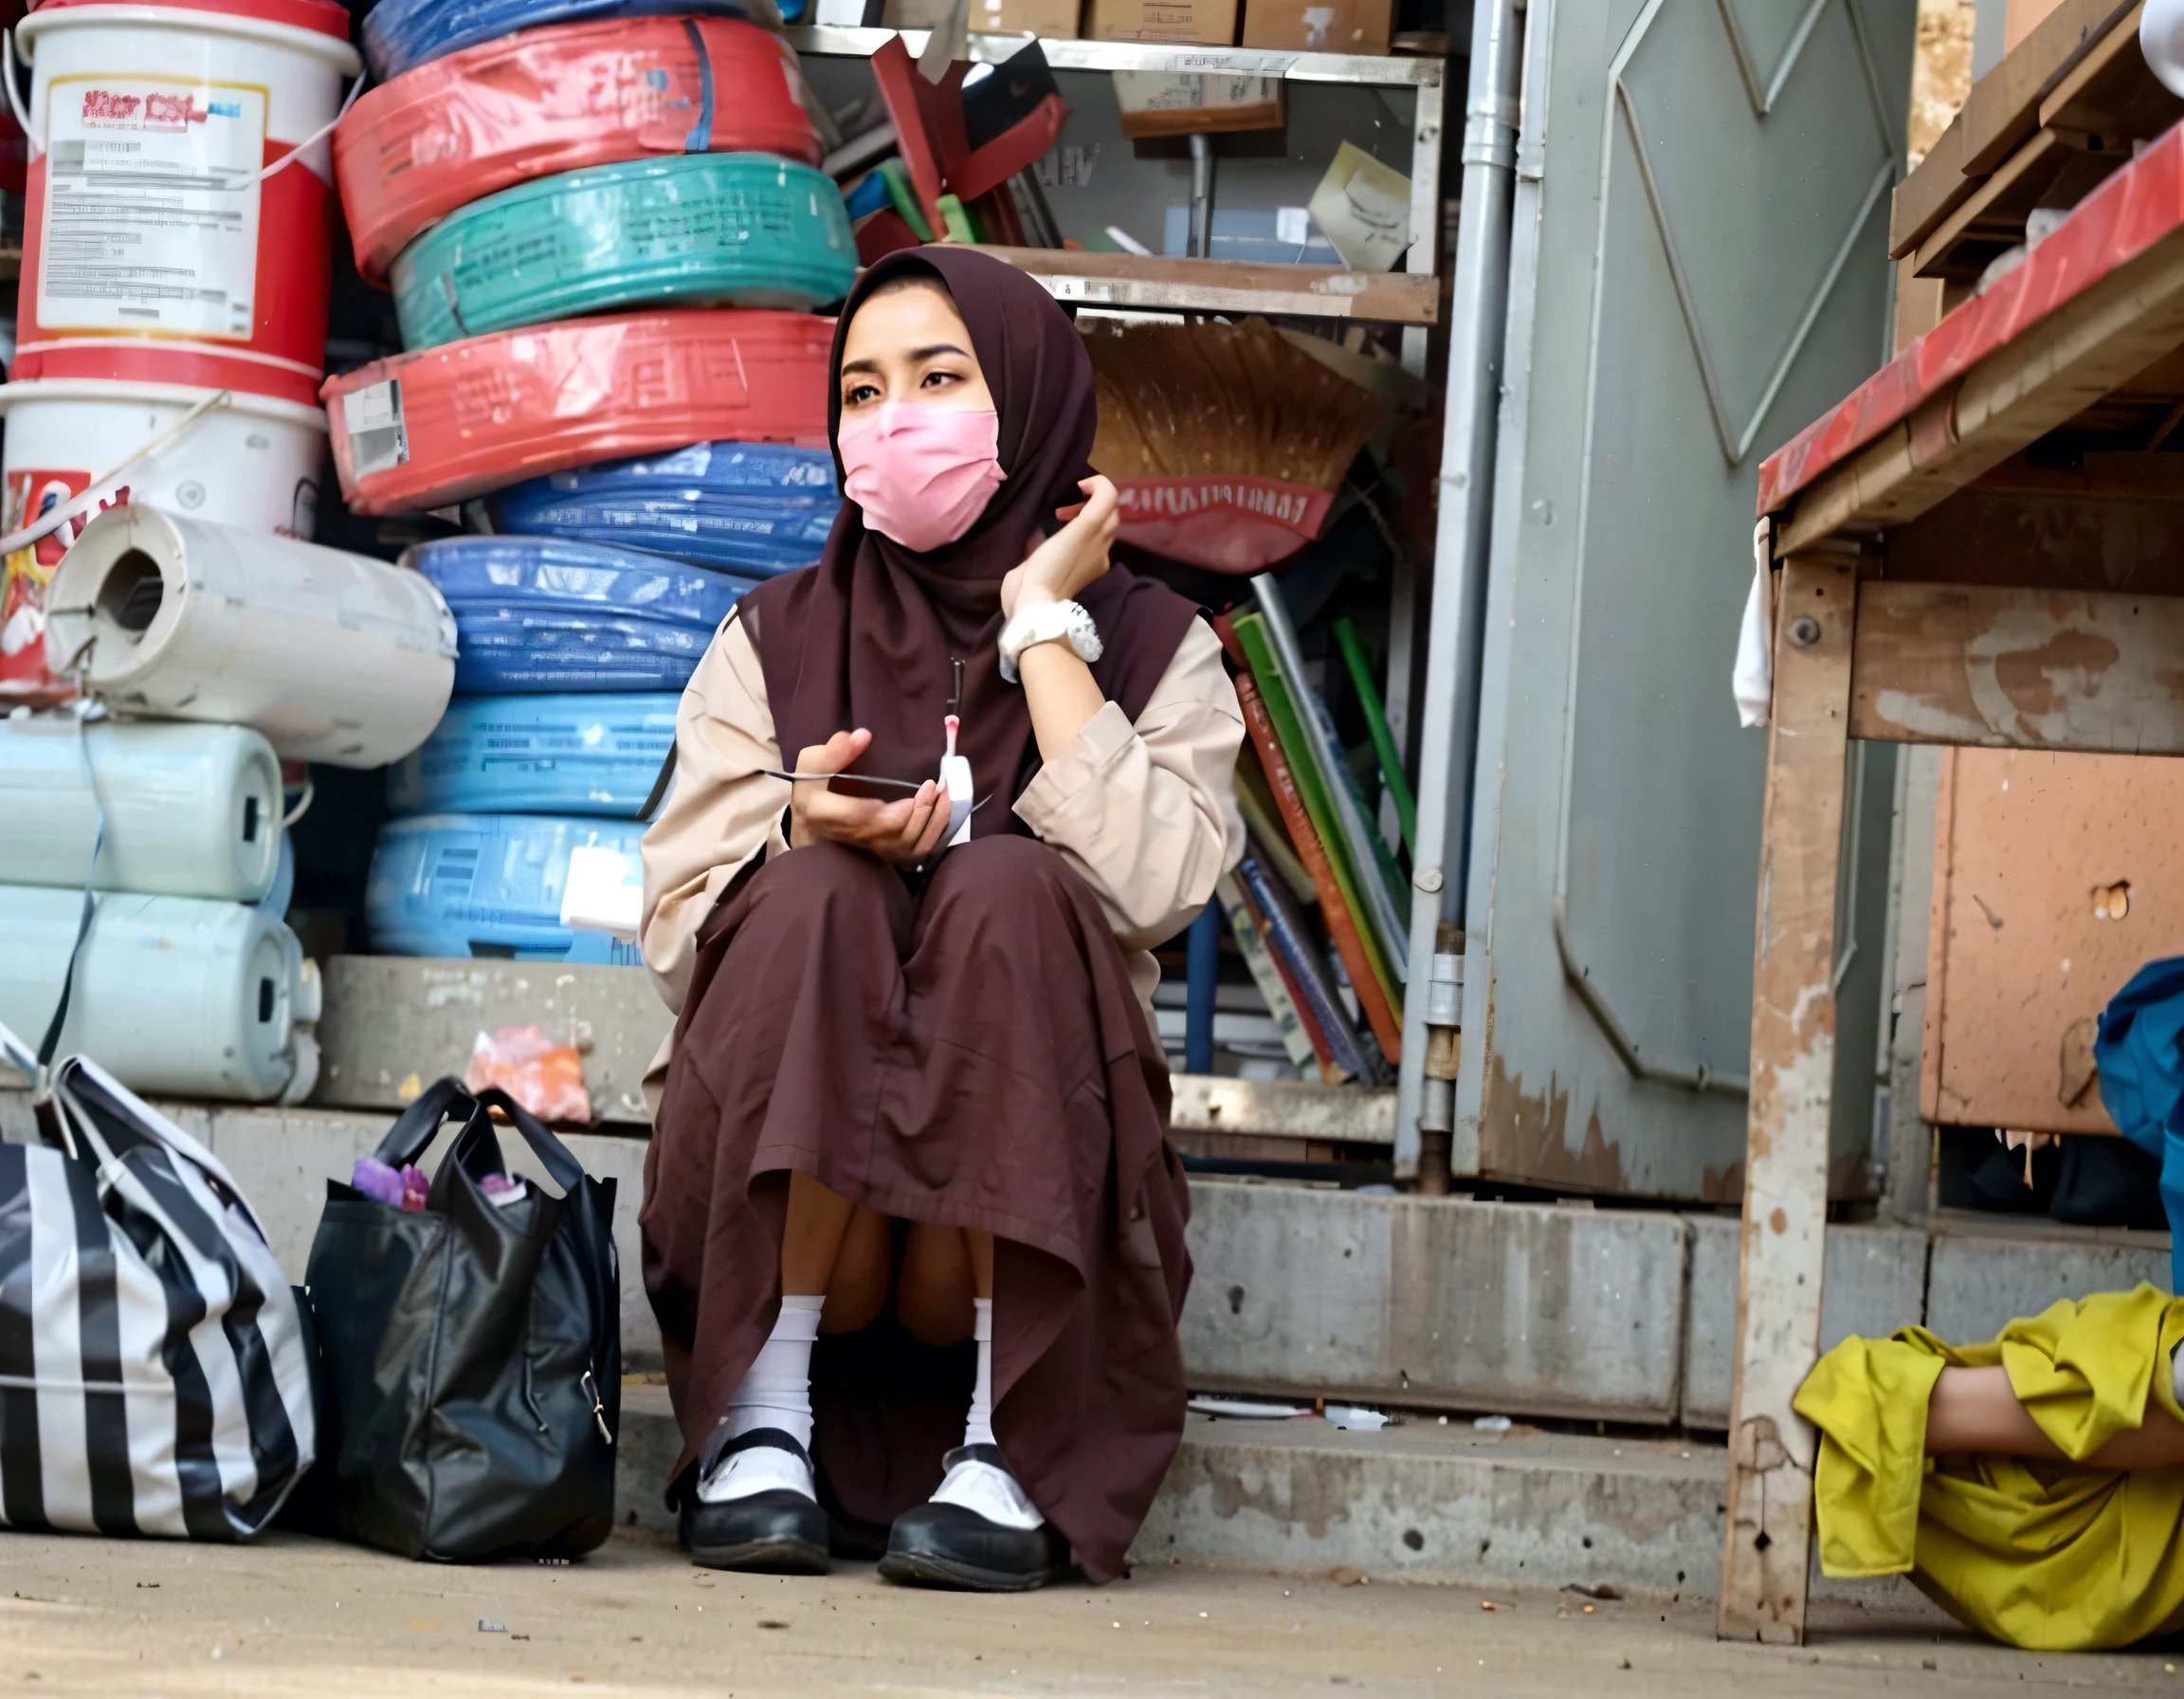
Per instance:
(193,811)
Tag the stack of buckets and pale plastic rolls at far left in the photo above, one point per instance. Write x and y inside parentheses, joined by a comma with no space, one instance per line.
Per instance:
(171,333)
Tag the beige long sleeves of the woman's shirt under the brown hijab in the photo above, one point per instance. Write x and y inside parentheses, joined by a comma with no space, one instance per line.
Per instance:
(1146,813)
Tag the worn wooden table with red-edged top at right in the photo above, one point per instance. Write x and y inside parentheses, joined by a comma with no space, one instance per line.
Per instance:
(1947,571)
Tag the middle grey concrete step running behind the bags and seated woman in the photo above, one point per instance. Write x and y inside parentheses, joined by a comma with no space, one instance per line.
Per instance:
(1453,1305)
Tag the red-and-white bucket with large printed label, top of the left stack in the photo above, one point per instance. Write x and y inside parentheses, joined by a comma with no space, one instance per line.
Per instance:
(219,278)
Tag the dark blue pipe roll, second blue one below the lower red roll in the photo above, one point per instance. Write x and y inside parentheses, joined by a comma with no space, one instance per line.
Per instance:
(545,615)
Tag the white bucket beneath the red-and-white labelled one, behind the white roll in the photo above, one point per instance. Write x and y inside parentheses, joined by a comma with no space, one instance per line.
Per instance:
(252,464)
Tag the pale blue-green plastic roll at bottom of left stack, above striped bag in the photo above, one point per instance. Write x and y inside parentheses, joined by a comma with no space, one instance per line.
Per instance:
(174,995)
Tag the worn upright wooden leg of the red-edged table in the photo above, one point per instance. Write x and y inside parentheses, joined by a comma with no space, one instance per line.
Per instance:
(1772,1449)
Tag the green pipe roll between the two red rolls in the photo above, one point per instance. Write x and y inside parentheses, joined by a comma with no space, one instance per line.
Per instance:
(687,230)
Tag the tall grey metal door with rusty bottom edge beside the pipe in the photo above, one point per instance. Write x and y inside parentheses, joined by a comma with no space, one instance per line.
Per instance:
(1698,270)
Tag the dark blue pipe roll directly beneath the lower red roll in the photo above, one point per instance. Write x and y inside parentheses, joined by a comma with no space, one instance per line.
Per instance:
(757,510)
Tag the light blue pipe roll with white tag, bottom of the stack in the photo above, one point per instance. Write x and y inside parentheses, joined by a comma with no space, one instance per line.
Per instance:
(488,886)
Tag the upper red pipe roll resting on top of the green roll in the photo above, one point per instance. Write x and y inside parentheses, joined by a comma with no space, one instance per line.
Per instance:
(556,99)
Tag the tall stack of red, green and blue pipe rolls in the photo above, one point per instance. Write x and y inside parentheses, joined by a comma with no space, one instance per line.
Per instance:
(608,243)
